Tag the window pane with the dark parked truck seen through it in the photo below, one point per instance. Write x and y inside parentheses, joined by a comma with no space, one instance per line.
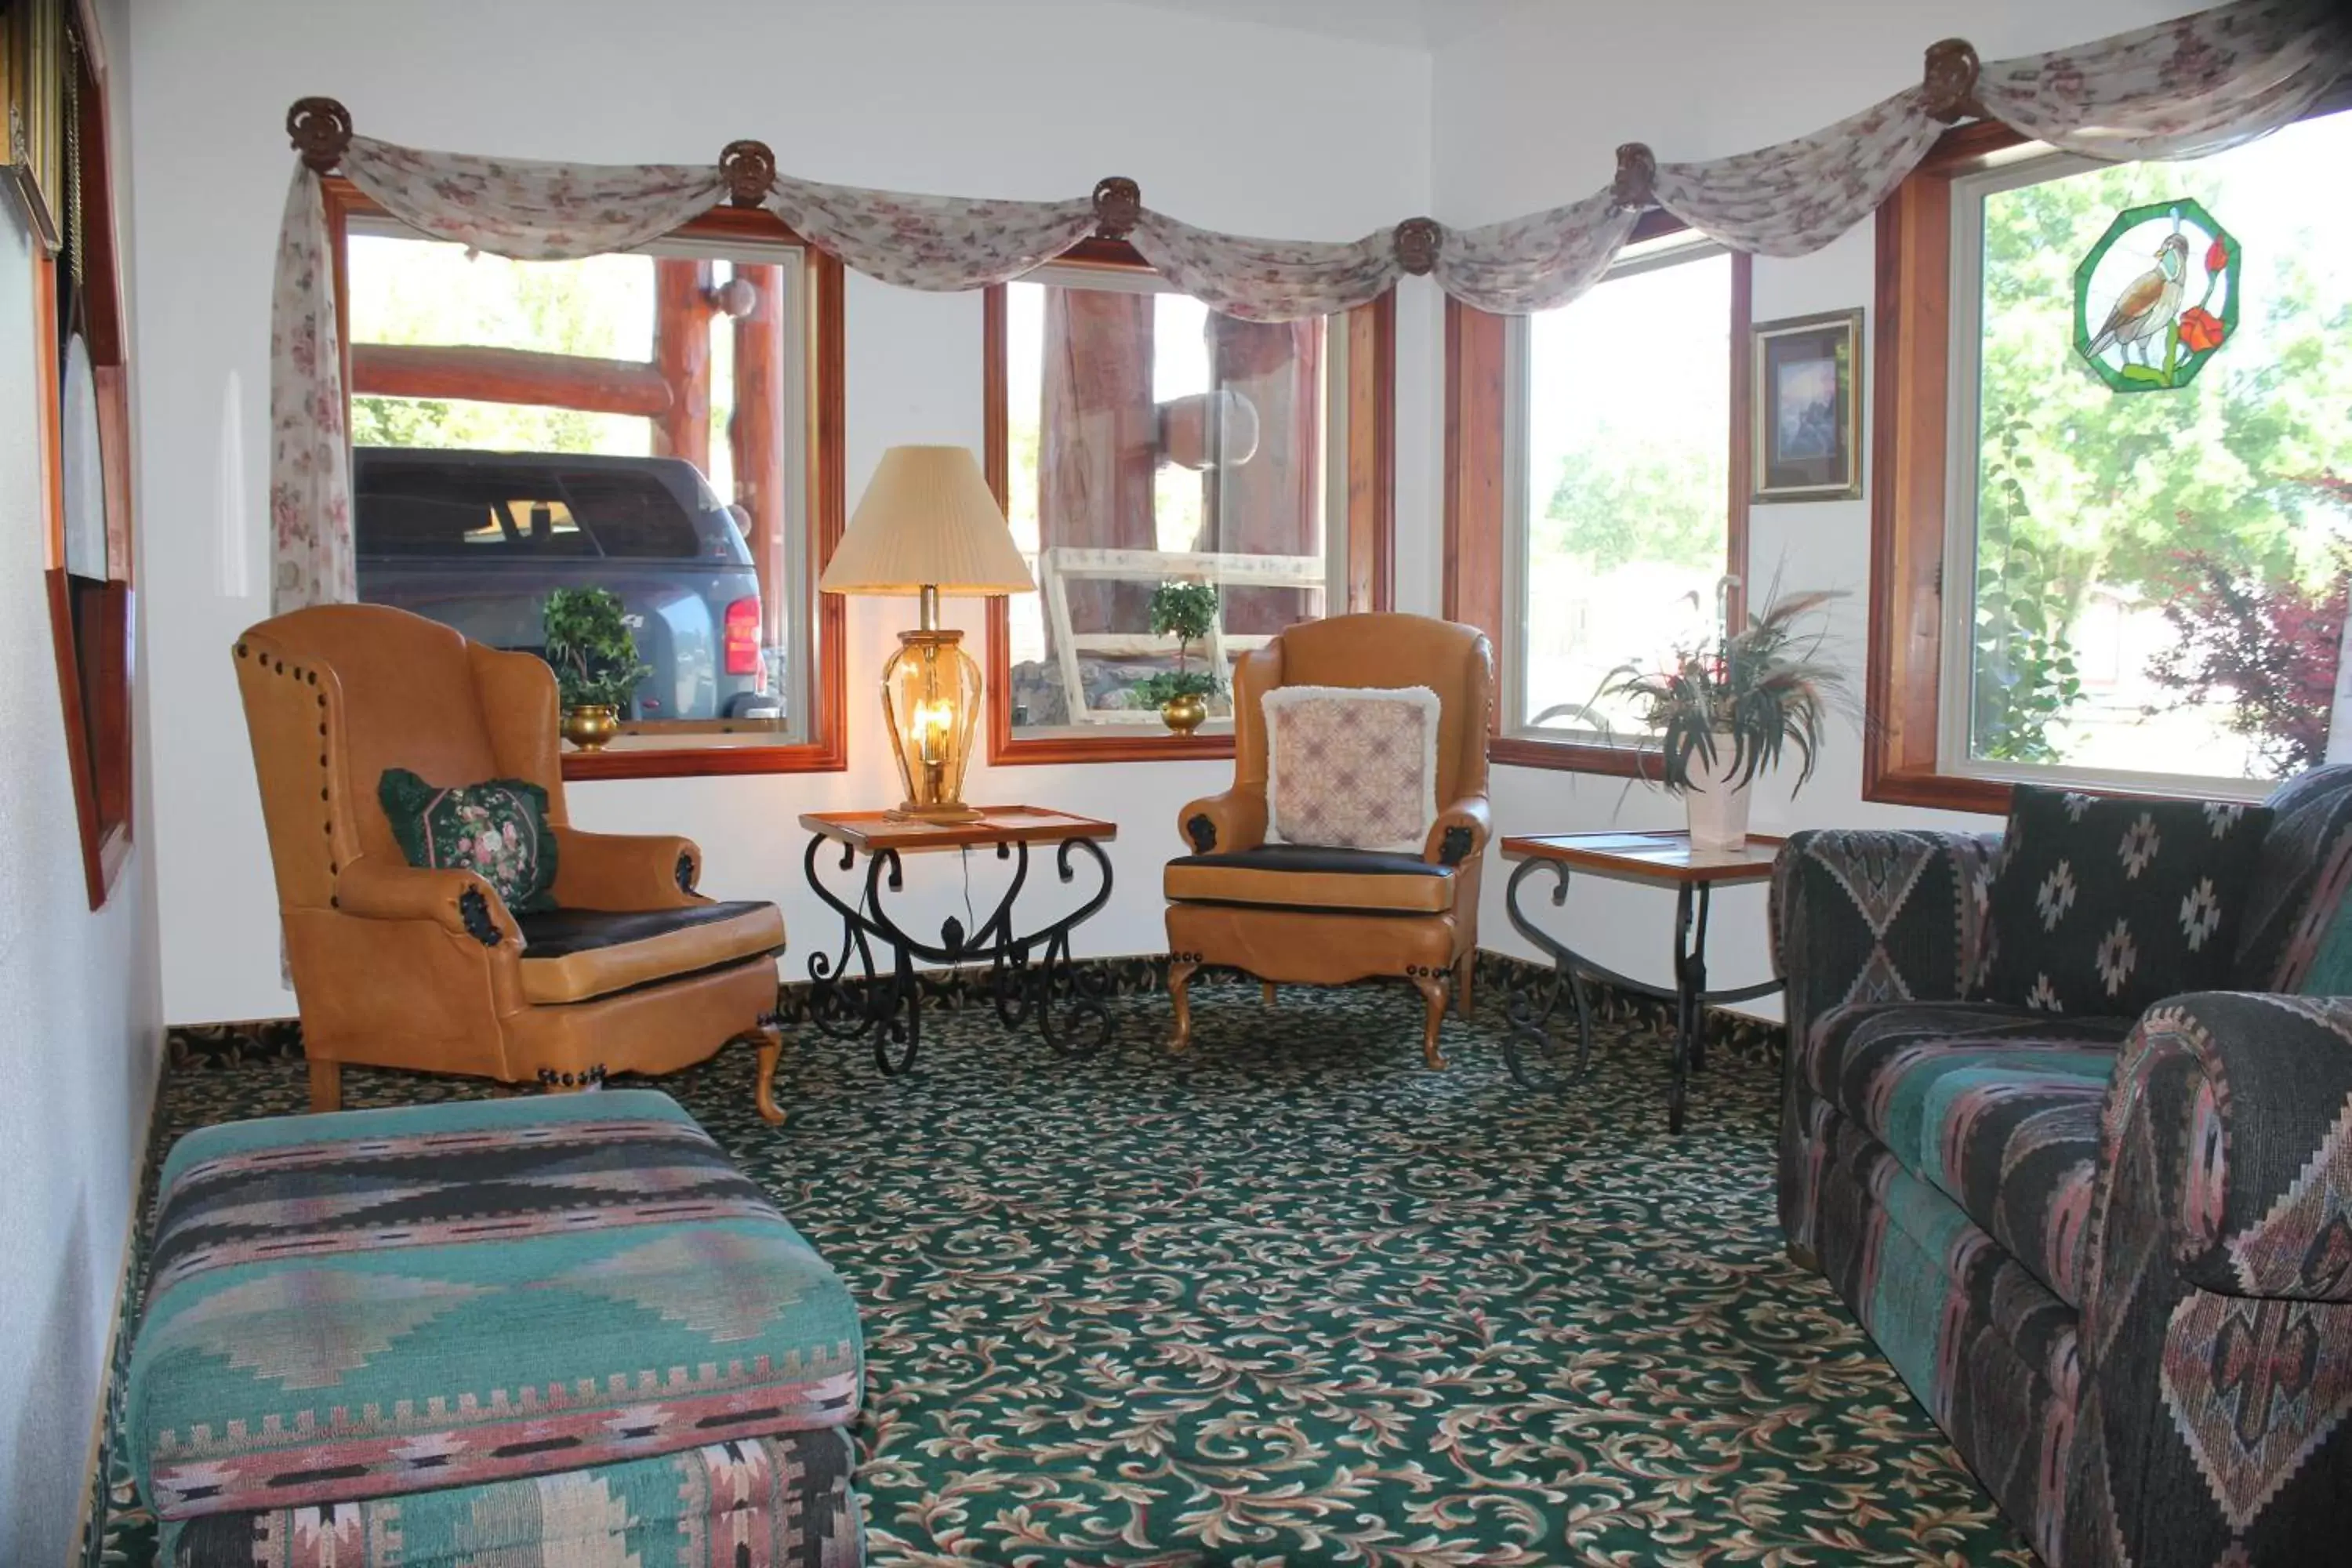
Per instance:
(526,427)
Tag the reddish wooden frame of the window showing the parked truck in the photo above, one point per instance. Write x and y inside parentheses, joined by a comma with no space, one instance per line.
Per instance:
(827,751)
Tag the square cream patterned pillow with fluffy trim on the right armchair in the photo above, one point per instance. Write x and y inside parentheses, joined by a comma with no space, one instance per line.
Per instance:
(1351,768)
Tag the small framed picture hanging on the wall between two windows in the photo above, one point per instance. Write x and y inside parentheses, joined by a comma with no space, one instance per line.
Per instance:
(1808,406)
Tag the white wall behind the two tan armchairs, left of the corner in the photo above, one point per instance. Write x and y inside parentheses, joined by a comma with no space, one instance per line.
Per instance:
(1231,126)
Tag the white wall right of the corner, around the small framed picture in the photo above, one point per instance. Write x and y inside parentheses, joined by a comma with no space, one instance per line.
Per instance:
(1530,114)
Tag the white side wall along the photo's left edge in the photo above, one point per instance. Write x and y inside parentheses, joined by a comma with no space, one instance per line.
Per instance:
(81,1028)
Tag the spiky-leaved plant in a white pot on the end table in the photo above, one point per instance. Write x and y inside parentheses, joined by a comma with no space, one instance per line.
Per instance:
(1728,706)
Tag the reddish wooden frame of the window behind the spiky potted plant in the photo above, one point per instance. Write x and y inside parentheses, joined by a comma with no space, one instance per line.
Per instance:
(1476,500)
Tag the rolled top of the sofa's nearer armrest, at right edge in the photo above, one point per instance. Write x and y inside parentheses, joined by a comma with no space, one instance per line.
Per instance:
(2226,1127)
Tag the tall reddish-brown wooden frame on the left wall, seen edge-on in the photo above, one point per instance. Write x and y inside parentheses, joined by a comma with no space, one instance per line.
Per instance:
(91,624)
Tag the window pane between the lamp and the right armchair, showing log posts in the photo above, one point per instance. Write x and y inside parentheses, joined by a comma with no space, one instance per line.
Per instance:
(1154,441)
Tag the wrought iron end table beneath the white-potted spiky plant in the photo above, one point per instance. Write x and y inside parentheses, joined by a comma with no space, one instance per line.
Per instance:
(1659,859)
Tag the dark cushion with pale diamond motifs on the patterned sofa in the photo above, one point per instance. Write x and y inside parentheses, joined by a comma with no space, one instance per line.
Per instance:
(2113,904)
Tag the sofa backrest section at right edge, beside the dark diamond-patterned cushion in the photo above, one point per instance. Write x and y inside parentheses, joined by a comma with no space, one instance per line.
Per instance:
(2299,883)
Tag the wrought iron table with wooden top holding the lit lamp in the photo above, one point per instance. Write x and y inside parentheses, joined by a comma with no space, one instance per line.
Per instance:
(1031,974)
